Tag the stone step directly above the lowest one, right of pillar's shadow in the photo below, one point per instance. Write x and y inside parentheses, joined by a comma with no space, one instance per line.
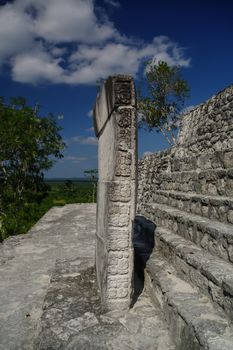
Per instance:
(209,273)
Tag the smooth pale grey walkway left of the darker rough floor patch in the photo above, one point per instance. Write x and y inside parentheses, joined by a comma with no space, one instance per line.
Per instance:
(26,265)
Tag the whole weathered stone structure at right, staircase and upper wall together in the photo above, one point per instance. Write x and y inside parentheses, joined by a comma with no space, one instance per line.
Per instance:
(187,192)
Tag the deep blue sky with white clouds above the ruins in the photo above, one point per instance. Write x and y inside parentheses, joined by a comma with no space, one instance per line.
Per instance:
(53,51)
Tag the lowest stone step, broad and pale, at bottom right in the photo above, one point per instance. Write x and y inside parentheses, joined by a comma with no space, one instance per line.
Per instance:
(194,323)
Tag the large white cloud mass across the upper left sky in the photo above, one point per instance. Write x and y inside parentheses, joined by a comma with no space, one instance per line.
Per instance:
(57,41)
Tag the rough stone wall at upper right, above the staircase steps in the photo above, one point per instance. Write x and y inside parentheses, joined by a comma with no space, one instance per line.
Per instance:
(208,127)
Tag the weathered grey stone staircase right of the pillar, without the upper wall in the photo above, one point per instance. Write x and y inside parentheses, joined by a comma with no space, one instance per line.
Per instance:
(184,242)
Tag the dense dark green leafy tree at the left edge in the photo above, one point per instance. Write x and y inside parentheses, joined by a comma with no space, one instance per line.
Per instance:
(29,145)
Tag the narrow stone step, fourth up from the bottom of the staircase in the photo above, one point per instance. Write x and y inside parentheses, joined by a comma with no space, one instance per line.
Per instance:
(213,207)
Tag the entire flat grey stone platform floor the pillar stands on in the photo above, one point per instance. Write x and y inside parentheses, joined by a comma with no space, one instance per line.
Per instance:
(49,297)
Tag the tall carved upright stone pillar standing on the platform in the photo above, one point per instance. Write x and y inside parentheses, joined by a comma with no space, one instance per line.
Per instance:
(116,128)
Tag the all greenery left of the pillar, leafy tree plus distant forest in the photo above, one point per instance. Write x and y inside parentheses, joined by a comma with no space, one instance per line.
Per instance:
(29,146)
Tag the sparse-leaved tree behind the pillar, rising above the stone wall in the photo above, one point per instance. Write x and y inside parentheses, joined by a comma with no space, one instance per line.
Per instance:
(167,91)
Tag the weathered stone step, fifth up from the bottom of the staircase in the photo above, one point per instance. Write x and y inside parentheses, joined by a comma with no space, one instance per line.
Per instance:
(210,182)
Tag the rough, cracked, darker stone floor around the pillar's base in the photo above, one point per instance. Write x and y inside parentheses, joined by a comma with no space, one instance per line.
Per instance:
(73,319)
